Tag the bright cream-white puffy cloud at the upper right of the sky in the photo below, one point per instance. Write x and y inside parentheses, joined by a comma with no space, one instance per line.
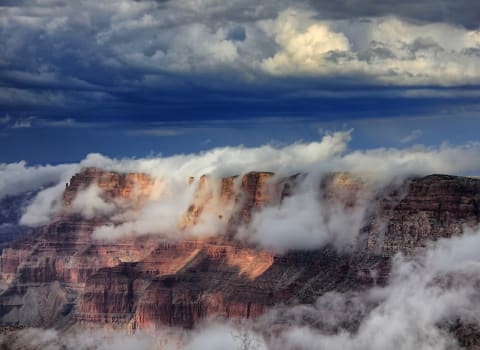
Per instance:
(386,49)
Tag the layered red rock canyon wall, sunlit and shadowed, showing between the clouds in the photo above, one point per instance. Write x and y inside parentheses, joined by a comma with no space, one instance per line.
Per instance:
(61,275)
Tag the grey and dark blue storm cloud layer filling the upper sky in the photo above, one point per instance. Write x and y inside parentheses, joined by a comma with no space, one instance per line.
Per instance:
(185,59)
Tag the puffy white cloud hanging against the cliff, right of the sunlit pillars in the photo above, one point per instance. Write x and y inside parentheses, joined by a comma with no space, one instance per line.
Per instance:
(307,220)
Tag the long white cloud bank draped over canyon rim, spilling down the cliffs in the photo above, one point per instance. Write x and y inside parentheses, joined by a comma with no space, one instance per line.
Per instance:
(315,220)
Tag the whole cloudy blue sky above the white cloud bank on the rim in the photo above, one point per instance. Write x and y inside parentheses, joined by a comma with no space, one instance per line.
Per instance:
(135,78)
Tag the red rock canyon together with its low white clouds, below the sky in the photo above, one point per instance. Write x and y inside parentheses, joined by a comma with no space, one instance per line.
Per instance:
(303,246)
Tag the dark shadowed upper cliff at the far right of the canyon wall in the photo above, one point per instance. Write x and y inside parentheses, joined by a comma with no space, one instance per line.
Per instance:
(429,208)
